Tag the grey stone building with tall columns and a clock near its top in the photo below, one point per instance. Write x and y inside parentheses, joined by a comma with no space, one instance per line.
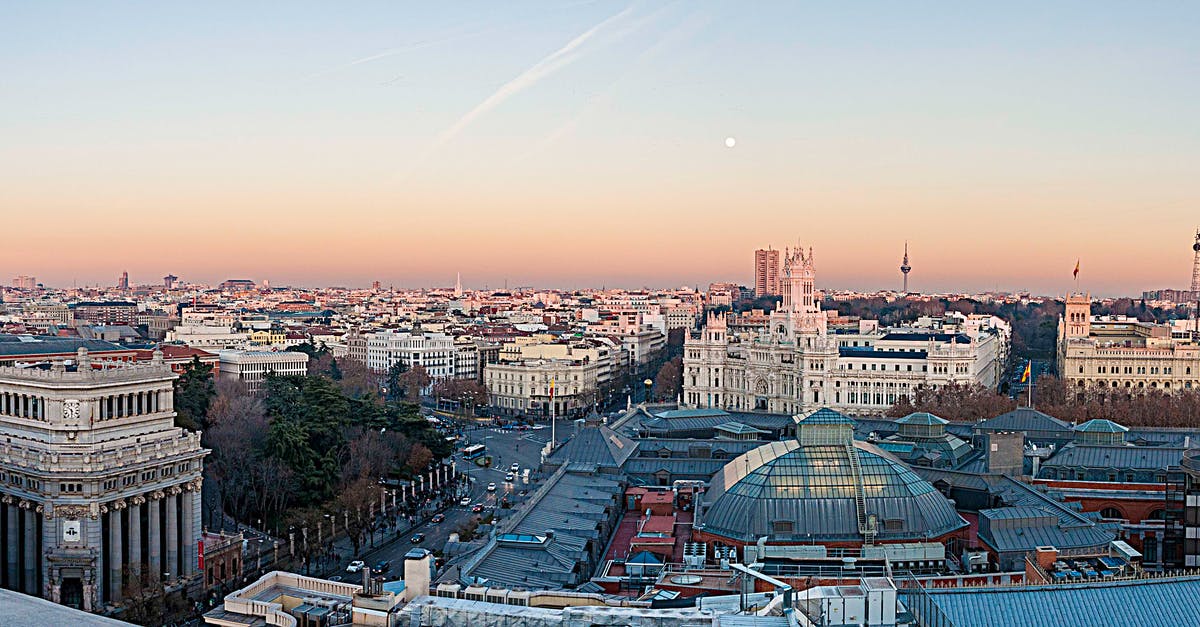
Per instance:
(99,491)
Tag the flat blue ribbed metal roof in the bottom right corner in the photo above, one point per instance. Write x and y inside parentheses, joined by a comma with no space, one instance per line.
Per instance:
(1137,604)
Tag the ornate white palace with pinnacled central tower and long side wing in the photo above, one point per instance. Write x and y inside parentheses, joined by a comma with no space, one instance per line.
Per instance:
(796,366)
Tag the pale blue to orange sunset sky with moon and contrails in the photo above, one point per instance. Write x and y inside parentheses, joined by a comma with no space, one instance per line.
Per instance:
(585,144)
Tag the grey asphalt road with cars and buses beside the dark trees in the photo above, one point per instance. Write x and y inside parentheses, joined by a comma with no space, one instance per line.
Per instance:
(506,447)
